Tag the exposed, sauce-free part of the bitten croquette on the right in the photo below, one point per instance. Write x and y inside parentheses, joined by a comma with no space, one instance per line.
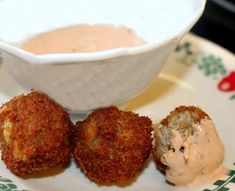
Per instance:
(181,119)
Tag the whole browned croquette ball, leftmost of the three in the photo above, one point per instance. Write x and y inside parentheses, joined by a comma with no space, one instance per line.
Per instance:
(34,134)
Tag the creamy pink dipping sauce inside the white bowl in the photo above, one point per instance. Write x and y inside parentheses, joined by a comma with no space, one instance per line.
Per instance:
(82,38)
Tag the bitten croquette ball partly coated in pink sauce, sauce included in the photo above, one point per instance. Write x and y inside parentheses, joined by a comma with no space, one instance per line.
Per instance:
(187,145)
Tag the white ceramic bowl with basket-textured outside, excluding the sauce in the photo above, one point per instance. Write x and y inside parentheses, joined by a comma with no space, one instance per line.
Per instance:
(85,81)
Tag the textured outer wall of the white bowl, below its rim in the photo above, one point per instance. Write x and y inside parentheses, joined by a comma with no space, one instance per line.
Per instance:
(84,86)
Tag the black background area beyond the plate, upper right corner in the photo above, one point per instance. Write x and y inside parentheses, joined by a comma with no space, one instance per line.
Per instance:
(217,24)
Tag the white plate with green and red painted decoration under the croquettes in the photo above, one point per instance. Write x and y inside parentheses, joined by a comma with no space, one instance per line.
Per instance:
(190,77)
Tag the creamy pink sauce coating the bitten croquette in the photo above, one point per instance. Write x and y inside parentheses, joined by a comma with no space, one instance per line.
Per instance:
(201,161)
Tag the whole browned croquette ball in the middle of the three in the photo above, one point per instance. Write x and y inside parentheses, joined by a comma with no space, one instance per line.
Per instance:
(111,146)
